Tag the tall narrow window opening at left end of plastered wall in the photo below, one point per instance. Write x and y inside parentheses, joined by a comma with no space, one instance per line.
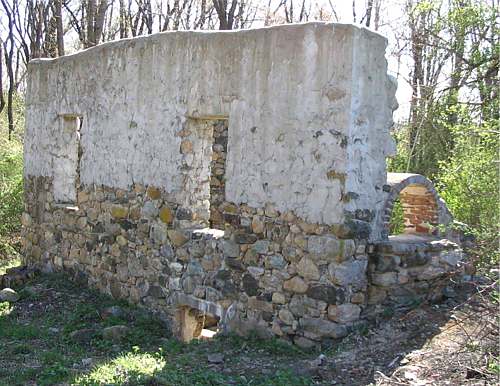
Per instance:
(67,159)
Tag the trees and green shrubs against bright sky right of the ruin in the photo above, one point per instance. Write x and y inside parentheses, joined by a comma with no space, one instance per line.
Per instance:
(452,136)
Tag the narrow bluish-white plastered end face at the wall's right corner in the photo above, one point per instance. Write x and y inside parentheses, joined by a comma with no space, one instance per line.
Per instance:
(370,142)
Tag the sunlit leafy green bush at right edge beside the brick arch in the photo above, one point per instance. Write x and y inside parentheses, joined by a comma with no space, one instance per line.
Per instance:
(469,183)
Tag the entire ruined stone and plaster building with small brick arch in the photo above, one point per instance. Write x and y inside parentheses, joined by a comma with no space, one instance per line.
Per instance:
(230,180)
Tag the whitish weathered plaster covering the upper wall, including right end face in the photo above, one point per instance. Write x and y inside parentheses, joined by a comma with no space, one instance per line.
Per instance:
(291,93)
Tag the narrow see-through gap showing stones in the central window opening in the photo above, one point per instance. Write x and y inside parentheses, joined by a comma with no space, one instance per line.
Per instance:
(218,173)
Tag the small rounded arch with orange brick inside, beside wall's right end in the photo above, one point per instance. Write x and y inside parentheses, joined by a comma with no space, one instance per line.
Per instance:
(420,200)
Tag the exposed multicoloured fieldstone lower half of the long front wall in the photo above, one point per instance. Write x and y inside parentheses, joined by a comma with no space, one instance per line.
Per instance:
(269,271)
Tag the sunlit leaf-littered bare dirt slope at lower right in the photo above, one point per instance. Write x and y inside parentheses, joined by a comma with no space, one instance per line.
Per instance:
(452,343)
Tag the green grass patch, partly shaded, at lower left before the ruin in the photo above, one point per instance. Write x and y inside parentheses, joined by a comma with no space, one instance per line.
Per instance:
(37,346)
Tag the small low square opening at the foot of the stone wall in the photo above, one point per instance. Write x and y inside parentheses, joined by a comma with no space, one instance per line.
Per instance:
(196,324)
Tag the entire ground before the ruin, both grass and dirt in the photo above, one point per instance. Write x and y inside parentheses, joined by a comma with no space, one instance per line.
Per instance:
(451,343)
